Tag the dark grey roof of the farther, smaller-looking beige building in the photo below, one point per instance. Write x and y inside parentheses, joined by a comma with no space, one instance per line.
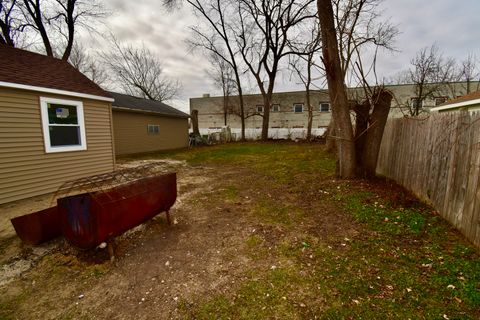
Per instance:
(125,101)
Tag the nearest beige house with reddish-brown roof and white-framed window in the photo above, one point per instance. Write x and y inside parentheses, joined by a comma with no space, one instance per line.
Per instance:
(55,125)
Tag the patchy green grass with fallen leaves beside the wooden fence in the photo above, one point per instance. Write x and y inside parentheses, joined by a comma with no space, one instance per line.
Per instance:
(406,262)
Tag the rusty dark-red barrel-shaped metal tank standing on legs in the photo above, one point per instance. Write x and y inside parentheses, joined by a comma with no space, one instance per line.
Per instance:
(89,219)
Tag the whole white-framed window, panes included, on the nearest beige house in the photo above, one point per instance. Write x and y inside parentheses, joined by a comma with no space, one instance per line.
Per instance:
(63,125)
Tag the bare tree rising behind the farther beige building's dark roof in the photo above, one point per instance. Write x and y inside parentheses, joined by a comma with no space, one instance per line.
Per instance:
(139,72)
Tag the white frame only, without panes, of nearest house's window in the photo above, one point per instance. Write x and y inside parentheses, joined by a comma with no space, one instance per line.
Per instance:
(44,101)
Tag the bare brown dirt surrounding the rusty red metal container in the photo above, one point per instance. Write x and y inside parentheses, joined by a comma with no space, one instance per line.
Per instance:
(158,267)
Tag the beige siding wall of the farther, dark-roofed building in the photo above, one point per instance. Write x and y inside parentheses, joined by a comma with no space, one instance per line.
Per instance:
(131,136)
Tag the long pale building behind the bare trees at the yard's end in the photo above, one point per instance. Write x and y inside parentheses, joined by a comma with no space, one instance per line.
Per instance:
(288,113)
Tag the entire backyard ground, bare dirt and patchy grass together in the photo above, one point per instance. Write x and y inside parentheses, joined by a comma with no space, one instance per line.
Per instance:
(260,231)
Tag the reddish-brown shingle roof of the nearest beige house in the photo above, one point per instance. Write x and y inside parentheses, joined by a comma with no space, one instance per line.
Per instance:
(33,69)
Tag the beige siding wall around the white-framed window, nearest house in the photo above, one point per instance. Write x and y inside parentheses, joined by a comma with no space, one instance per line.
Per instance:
(25,169)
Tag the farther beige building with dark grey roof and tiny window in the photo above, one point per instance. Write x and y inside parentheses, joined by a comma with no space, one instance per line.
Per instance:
(142,125)
